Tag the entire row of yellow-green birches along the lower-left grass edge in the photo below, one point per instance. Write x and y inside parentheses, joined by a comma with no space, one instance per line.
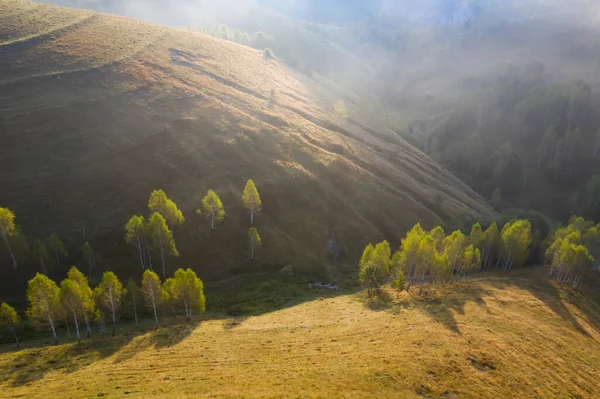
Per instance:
(74,301)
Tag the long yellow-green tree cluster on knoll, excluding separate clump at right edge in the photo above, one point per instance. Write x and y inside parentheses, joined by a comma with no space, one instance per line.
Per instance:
(441,258)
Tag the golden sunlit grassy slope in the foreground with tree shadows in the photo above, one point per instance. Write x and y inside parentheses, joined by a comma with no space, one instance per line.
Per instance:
(491,337)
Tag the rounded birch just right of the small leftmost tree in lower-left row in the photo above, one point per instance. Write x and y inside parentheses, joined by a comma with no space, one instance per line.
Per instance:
(44,308)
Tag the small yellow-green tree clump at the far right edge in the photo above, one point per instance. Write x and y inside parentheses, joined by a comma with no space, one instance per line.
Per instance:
(572,249)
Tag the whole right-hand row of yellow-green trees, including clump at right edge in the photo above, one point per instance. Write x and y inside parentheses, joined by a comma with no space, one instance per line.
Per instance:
(441,258)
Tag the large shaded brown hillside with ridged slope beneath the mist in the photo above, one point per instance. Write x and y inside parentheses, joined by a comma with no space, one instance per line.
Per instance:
(98,110)
